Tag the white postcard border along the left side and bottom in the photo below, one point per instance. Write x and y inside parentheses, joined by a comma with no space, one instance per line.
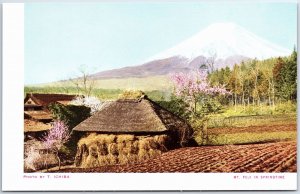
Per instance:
(13,178)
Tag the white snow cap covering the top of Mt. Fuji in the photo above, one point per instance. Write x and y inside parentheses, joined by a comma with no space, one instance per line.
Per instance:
(224,40)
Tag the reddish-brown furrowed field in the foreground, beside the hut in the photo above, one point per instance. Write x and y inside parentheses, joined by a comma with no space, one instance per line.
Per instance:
(268,157)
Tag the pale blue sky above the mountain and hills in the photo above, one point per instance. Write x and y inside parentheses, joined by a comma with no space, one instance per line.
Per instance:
(60,37)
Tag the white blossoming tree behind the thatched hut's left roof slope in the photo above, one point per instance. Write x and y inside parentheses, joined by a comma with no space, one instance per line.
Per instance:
(90,101)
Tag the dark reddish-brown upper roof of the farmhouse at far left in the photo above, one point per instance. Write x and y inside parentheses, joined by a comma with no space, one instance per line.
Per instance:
(46,99)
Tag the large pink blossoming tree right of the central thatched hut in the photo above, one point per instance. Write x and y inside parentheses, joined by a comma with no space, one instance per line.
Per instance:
(194,87)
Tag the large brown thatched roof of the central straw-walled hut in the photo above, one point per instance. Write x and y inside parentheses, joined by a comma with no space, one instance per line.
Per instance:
(131,116)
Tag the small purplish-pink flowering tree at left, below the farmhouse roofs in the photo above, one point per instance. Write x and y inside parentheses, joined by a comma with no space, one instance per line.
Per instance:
(57,136)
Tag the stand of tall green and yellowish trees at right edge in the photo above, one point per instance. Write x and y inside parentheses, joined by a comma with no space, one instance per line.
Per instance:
(258,82)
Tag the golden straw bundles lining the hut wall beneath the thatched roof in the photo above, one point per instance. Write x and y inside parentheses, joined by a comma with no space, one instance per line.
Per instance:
(108,149)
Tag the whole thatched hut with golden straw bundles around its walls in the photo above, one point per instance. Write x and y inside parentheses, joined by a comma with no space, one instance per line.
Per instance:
(129,130)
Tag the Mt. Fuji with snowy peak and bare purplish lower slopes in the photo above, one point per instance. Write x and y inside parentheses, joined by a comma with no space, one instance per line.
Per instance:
(226,43)
